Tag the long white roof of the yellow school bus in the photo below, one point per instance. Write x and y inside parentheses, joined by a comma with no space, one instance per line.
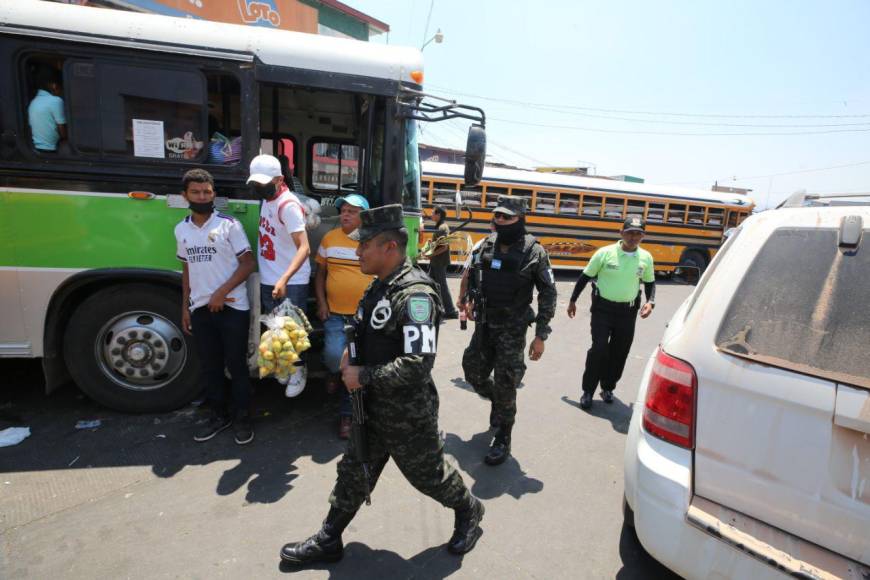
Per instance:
(604,186)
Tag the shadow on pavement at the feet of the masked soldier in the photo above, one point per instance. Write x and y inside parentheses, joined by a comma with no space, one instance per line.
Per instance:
(490,481)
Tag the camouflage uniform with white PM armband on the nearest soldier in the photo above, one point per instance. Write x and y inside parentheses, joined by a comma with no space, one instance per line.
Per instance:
(400,396)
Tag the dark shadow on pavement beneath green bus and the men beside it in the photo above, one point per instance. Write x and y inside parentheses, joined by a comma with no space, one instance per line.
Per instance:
(286,430)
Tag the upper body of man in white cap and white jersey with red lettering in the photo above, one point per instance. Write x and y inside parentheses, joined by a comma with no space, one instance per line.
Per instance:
(283,247)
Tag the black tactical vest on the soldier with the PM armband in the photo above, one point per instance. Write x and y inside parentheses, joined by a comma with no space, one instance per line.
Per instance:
(385,344)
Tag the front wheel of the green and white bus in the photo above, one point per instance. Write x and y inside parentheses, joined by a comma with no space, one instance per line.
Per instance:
(125,349)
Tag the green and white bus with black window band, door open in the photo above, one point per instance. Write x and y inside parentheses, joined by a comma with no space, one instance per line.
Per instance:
(88,276)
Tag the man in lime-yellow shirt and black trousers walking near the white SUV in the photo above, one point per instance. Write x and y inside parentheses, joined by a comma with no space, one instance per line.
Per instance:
(617,271)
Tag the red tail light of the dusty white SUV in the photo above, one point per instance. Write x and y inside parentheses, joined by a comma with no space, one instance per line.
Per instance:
(669,409)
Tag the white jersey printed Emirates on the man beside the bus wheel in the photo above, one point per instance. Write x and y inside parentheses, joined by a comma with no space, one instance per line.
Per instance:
(211,253)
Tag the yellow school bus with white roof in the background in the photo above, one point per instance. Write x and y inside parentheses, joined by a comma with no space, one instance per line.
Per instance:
(573,216)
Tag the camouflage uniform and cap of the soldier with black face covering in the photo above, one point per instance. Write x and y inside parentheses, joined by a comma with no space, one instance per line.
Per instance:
(499,343)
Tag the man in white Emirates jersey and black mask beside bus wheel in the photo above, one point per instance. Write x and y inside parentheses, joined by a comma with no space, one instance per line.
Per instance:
(217,260)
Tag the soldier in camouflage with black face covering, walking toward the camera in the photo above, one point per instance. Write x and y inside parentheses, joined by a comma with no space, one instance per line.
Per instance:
(505,269)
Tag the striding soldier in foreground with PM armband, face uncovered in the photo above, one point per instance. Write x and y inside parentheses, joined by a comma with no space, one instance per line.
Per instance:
(394,351)
